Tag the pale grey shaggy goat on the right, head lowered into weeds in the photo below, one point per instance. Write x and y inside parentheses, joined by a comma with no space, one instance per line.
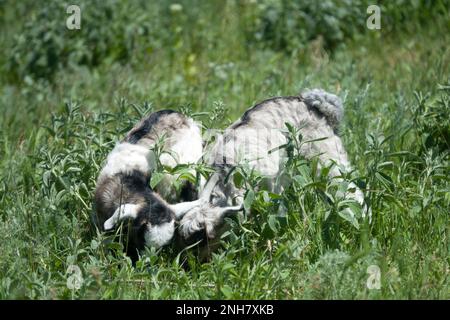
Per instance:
(316,113)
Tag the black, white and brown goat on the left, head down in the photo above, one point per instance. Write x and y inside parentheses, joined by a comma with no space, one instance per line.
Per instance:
(123,191)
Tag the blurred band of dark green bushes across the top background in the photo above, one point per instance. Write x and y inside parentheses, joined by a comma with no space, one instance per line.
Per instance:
(115,31)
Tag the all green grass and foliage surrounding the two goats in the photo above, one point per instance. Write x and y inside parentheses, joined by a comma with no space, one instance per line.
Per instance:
(66,96)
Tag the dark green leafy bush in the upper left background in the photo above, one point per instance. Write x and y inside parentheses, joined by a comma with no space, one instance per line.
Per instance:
(110,31)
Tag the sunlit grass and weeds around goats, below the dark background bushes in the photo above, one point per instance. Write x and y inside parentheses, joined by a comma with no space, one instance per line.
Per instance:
(55,136)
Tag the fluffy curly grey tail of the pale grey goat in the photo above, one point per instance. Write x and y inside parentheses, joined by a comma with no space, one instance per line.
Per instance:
(328,104)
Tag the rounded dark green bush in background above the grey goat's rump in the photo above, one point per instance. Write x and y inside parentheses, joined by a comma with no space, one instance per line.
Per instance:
(290,25)
